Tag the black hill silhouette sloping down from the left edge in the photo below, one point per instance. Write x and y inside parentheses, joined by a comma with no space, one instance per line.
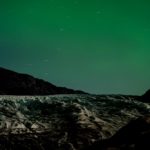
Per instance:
(13,83)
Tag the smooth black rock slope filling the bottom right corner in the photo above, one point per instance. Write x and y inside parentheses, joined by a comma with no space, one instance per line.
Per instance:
(134,136)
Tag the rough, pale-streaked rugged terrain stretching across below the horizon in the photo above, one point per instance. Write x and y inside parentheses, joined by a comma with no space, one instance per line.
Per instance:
(69,122)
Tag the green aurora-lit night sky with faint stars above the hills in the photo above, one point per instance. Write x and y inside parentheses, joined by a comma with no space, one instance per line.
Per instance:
(100,46)
